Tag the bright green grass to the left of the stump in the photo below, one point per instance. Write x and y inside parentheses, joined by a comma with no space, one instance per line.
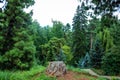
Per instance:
(32,74)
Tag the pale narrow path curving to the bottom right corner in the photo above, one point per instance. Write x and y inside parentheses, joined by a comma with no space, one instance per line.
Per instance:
(95,74)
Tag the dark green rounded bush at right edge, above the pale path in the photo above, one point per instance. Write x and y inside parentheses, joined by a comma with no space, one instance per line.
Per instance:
(111,62)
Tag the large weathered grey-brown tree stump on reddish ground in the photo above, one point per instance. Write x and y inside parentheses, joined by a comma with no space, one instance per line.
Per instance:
(56,68)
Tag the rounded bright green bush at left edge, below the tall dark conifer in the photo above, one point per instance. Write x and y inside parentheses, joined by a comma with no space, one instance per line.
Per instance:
(20,57)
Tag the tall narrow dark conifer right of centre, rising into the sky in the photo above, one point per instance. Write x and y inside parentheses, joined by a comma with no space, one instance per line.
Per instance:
(79,34)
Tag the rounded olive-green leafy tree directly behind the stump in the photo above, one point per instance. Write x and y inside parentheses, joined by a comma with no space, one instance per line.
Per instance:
(53,49)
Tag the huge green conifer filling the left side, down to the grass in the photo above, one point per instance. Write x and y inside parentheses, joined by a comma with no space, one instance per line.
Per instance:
(18,49)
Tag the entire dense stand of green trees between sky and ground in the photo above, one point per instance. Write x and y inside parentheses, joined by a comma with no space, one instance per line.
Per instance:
(90,42)
